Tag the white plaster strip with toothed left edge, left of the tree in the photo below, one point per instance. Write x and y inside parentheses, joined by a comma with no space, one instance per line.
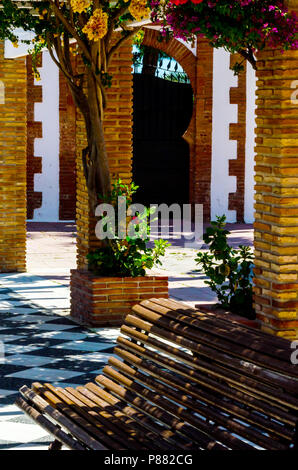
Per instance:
(47,147)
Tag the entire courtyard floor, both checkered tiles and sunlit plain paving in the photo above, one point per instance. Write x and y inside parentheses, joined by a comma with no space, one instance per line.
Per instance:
(38,340)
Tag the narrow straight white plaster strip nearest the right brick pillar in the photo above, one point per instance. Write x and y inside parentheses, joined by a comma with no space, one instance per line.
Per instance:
(250,144)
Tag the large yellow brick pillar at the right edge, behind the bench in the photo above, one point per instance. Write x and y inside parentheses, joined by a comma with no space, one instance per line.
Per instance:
(276,209)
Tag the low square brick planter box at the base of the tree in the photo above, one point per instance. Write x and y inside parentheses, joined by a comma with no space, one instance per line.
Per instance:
(104,301)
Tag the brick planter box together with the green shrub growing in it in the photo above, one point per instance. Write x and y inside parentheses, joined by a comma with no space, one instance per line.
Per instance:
(116,277)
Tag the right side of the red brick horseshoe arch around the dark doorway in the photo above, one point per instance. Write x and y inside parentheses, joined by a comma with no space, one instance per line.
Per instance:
(199,69)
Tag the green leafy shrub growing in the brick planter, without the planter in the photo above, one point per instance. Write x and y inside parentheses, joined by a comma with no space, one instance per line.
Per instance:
(131,256)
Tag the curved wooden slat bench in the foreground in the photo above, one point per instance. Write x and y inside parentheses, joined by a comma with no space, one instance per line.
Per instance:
(179,380)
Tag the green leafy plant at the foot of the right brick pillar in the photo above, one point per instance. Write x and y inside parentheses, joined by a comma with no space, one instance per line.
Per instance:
(229,270)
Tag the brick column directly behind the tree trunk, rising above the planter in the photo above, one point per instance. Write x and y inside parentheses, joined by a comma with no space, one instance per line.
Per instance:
(118,135)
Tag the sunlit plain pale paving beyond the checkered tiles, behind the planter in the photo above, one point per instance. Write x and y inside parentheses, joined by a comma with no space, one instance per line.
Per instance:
(51,253)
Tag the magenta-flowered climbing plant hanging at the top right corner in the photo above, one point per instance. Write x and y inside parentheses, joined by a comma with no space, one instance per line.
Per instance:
(243,26)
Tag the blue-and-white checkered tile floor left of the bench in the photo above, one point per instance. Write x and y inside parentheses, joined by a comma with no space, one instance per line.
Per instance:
(37,346)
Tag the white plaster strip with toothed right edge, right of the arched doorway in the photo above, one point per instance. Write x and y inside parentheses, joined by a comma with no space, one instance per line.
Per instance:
(223,149)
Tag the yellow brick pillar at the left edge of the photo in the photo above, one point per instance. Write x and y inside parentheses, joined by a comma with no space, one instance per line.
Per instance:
(13,96)
